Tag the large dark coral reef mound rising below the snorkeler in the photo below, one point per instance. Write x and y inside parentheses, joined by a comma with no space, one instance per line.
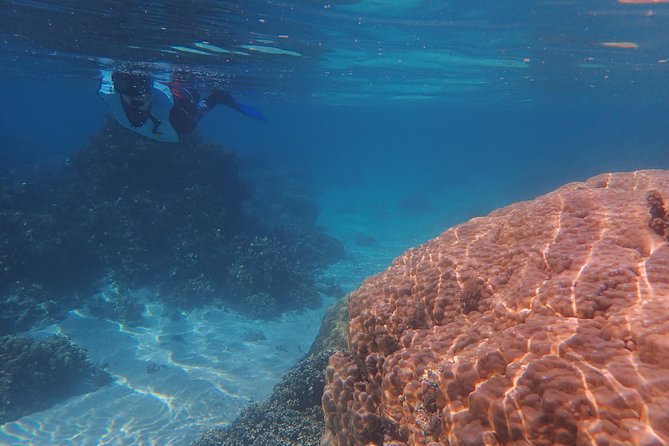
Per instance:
(140,213)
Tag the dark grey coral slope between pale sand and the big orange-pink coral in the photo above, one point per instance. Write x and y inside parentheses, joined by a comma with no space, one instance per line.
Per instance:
(292,415)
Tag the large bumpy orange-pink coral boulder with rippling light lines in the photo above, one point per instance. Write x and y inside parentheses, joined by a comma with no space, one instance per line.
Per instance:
(543,323)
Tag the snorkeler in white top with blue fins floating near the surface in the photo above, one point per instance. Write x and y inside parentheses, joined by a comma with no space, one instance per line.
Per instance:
(161,111)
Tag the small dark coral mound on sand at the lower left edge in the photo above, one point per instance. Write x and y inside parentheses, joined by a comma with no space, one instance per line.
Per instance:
(37,374)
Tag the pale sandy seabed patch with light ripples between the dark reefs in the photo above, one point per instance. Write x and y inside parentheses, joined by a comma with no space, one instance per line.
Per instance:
(174,377)
